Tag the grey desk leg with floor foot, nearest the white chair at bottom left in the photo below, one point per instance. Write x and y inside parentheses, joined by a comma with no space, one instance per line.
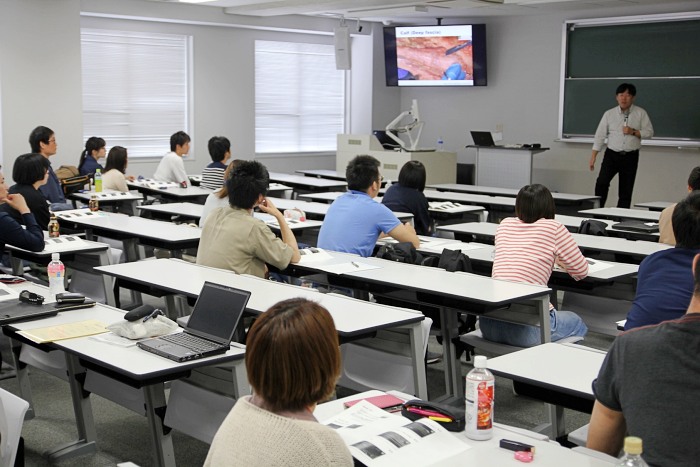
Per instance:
(87,437)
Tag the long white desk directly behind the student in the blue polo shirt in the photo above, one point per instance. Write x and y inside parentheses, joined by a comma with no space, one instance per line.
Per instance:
(450,292)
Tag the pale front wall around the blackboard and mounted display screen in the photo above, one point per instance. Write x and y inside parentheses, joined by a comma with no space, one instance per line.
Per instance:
(523,59)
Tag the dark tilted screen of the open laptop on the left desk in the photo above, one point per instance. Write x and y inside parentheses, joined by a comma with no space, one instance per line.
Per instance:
(218,310)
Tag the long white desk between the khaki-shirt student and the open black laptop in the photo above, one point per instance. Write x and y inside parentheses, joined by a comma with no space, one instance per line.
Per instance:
(354,319)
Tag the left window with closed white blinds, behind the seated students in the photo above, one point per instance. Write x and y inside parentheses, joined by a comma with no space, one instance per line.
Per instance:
(135,89)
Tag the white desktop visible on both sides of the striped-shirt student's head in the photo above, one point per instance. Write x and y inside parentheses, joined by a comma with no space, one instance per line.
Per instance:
(637,249)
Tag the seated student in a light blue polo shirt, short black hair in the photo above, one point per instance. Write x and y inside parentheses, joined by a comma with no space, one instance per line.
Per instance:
(355,221)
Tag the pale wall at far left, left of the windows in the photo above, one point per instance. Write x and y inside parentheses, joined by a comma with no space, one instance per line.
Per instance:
(40,77)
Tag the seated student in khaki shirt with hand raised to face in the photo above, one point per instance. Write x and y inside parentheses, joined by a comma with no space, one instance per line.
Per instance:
(233,239)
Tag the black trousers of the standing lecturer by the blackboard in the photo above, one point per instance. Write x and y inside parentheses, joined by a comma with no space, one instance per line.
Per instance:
(622,163)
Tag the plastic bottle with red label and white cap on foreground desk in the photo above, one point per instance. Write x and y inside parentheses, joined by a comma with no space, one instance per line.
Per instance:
(479,401)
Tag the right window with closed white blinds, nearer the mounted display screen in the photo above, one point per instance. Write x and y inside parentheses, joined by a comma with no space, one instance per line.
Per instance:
(299,97)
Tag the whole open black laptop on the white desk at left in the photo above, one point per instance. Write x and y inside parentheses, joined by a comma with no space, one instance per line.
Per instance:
(210,329)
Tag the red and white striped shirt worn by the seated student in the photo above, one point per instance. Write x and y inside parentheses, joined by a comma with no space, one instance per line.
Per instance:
(526,252)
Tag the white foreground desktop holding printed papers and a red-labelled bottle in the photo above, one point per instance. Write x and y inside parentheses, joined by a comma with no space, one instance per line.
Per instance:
(486,453)
